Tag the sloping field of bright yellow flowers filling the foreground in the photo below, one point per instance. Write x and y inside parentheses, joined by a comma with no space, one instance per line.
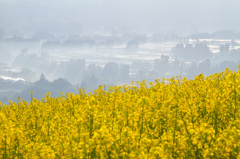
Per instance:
(171,118)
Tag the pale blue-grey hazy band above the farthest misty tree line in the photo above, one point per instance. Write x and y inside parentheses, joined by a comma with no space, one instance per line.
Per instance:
(68,16)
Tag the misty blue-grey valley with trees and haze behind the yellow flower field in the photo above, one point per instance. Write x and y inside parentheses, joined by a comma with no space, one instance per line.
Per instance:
(61,46)
